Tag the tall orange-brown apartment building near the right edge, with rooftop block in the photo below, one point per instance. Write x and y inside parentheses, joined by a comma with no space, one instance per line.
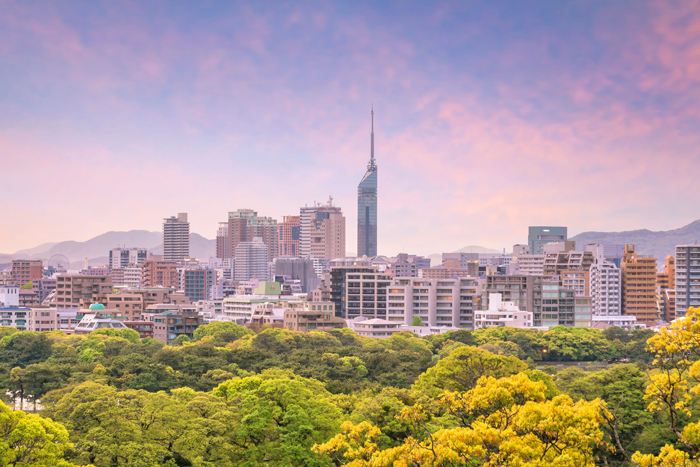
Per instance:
(639,286)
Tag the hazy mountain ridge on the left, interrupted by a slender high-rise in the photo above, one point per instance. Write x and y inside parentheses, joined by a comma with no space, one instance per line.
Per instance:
(96,250)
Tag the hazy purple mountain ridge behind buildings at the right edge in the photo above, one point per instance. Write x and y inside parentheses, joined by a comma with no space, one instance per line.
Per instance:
(658,244)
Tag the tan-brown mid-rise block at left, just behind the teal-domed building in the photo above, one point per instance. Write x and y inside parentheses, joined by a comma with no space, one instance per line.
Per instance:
(74,291)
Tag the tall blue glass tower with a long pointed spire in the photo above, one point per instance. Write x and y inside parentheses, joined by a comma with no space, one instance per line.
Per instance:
(367,207)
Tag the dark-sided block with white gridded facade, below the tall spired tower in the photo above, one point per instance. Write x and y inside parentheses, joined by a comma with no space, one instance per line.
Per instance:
(359,291)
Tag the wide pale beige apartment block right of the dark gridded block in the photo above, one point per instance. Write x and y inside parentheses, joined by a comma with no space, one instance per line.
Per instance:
(437,302)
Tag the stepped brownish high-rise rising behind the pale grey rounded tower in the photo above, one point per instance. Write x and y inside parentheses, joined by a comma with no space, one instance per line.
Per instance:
(244,225)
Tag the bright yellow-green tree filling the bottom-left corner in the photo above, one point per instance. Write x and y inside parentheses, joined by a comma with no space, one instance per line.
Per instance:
(30,440)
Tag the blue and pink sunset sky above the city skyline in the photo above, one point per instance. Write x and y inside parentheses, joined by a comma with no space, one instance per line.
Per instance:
(489,116)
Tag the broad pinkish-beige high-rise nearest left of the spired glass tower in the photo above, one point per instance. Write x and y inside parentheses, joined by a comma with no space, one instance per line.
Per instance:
(322,231)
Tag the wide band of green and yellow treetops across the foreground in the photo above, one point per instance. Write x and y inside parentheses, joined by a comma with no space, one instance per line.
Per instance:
(273,397)
